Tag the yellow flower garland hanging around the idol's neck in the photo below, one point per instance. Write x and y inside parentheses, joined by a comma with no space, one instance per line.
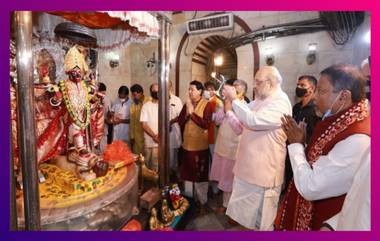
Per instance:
(69,106)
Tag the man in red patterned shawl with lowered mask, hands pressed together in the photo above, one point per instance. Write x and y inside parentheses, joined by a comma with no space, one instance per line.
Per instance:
(325,169)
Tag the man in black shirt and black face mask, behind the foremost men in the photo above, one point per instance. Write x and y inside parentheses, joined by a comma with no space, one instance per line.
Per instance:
(303,111)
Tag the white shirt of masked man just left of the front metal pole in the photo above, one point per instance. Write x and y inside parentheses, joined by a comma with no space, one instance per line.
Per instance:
(149,114)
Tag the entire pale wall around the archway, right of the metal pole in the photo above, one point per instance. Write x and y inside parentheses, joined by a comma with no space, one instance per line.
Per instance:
(290,52)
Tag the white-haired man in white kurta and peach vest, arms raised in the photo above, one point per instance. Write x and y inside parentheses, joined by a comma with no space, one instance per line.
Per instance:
(260,160)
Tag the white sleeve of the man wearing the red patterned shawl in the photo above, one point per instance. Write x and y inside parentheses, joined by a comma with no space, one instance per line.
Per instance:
(331,175)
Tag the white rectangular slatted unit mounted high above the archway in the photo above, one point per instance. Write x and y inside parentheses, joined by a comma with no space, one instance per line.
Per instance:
(209,24)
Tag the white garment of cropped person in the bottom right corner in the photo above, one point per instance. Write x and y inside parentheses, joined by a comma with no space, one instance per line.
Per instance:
(356,210)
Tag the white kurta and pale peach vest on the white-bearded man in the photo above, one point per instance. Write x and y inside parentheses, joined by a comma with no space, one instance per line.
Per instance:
(260,158)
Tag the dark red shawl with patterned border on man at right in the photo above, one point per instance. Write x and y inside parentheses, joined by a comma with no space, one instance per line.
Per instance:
(299,214)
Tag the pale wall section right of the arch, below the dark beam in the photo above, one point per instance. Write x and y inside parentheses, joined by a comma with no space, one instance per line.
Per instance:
(290,55)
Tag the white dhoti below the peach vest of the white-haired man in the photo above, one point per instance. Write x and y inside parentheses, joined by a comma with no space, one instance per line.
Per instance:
(252,206)
